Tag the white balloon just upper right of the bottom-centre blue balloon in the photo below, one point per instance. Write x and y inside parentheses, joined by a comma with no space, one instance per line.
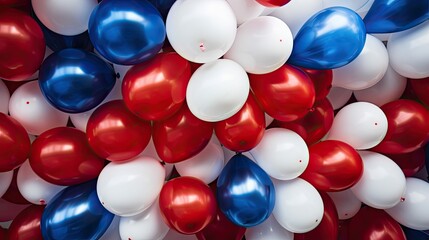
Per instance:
(282,153)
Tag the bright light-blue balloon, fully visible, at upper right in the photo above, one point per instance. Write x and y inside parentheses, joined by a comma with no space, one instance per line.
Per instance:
(330,39)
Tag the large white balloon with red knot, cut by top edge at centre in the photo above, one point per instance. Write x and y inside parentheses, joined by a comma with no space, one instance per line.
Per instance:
(201,30)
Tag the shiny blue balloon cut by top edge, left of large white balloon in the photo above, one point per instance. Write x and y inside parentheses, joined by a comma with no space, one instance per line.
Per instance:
(126,32)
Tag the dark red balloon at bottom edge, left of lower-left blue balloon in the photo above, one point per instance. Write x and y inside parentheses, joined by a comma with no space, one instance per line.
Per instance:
(27,224)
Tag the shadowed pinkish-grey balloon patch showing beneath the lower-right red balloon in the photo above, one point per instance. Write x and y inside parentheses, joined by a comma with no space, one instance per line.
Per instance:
(346,203)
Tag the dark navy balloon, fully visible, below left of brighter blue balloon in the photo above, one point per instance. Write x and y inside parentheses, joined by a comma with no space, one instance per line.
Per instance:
(75,81)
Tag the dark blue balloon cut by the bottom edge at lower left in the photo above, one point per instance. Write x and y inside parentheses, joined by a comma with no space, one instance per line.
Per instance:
(75,213)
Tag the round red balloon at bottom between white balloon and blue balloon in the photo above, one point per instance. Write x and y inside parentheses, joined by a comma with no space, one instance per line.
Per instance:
(187,204)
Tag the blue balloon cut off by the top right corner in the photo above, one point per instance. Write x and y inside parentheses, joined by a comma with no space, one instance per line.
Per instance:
(387,16)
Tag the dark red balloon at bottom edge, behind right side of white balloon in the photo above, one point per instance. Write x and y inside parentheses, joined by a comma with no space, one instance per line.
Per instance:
(328,227)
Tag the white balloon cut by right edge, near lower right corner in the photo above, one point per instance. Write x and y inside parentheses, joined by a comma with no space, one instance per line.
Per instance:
(413,211)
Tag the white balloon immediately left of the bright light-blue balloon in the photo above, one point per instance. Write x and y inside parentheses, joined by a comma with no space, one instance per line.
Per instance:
(262,45)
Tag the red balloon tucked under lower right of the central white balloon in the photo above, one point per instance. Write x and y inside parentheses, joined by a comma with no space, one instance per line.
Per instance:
(244,130)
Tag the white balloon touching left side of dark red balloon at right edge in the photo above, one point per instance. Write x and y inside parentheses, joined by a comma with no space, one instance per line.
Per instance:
(362,125)
